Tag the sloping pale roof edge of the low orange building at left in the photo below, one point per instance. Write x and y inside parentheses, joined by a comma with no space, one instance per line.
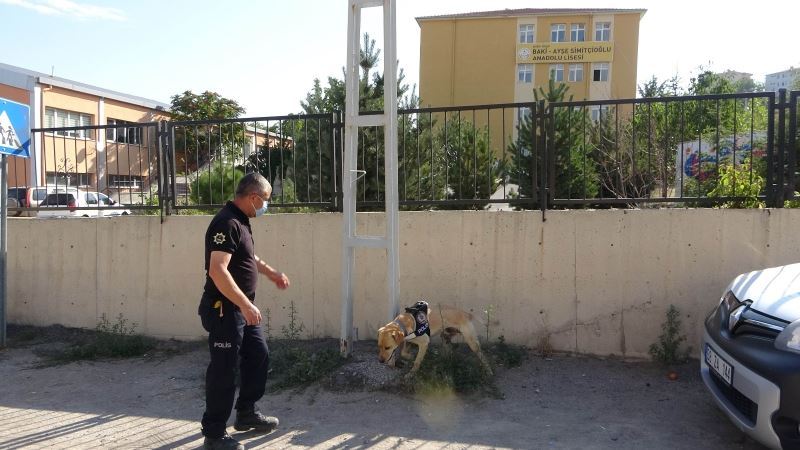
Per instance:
(19,77)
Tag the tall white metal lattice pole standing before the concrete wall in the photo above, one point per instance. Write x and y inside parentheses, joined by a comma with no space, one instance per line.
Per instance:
(352,121)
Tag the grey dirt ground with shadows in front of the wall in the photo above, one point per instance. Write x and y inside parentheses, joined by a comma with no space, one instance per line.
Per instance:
(562,402)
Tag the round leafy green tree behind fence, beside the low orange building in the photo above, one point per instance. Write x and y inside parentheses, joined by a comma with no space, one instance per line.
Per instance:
(197,144)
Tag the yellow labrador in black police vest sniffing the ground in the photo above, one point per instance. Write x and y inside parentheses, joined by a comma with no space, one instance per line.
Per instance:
(410,327)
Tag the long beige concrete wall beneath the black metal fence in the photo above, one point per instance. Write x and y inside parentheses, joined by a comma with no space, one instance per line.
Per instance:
(595,281)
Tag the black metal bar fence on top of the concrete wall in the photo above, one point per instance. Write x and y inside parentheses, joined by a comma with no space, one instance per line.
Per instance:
(731,150)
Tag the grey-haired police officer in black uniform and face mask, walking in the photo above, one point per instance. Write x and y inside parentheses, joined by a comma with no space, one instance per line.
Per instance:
(232,319)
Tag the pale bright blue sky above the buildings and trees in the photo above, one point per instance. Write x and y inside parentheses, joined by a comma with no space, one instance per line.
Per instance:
(266,54)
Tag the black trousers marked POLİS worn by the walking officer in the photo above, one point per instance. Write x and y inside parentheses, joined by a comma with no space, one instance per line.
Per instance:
(232,343)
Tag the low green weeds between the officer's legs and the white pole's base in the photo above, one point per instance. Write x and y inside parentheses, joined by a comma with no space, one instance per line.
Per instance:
(295,365)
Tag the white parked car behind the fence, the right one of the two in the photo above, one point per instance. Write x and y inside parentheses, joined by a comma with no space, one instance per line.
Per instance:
(78,203)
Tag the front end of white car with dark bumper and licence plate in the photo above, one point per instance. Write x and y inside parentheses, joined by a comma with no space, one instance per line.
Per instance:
(751,355)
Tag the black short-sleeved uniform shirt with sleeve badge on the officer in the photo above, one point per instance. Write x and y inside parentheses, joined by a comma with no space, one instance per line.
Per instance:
(230,232)
